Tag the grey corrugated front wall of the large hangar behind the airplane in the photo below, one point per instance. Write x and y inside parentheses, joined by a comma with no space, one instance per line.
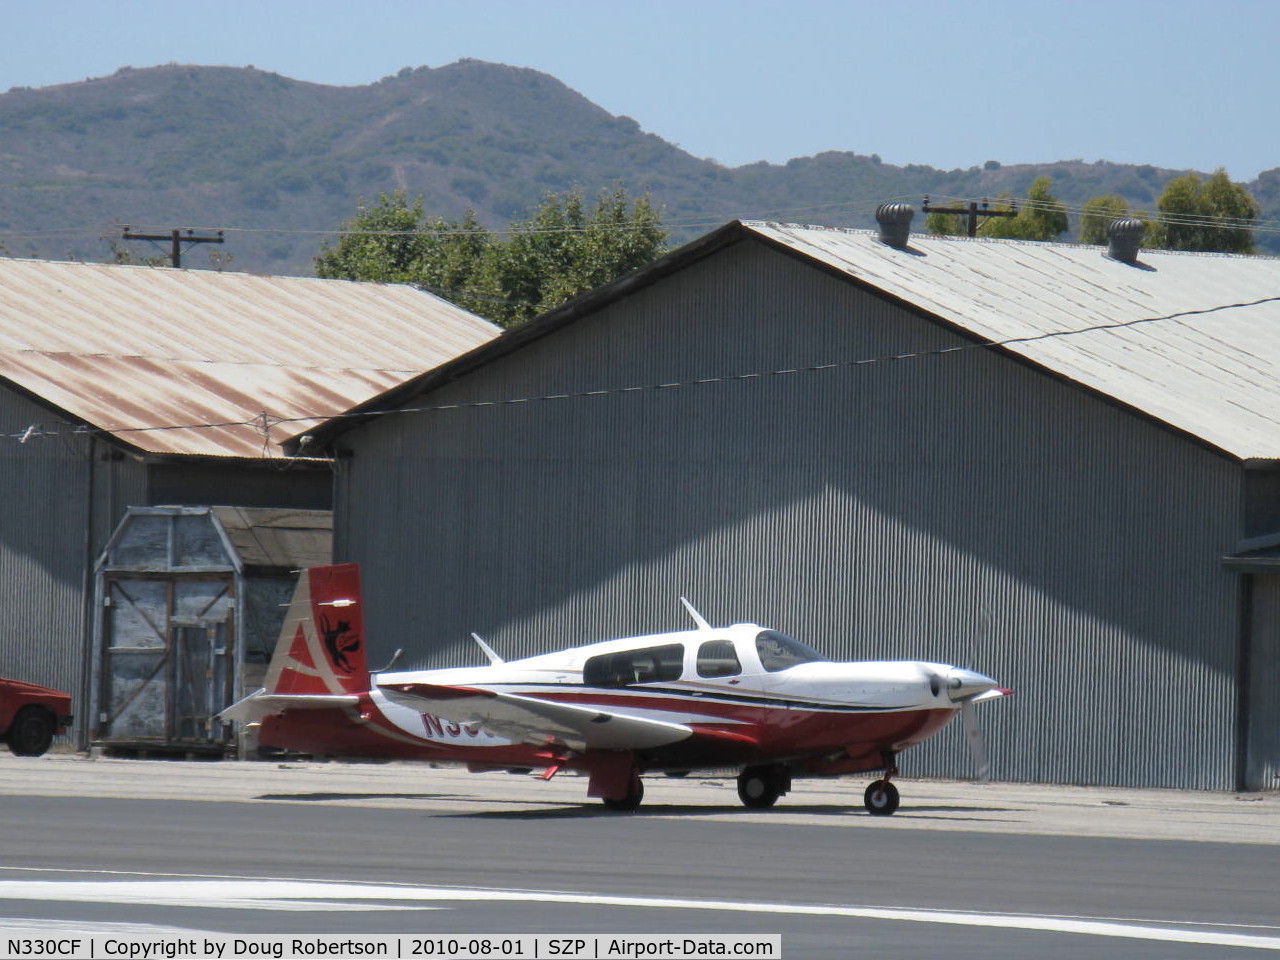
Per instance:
(966,508)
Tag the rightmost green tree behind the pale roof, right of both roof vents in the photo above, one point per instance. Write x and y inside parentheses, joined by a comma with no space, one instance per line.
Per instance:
(1208,216)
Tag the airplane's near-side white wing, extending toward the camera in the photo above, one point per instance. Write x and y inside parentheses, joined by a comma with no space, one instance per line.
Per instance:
(533,721)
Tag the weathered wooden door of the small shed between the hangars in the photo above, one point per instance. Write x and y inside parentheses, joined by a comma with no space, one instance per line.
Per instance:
(168,660)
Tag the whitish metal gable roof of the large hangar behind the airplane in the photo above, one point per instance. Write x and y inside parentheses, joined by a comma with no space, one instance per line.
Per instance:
(1212,373)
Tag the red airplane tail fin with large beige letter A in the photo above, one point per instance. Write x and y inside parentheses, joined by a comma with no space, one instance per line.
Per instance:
(322,644)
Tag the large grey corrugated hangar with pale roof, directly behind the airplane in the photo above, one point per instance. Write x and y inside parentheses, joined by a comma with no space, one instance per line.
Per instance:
(1053,465)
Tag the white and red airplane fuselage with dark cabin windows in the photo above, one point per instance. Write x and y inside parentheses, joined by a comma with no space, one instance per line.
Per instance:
(749,696)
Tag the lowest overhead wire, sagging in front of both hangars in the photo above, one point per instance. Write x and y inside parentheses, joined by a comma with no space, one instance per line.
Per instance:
(266,422)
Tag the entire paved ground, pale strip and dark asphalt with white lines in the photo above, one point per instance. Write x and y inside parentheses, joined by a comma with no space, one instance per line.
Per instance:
(993,871)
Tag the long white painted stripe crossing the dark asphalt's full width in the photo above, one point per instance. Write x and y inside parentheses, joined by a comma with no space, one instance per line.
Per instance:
(322,895)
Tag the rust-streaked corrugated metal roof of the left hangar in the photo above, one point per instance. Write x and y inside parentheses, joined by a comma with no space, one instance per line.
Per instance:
(152,355)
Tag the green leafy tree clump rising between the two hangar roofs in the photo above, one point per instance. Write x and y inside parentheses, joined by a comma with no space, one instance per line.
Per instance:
(561,252)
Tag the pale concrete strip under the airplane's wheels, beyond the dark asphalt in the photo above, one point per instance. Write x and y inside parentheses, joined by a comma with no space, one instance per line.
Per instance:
(929,806)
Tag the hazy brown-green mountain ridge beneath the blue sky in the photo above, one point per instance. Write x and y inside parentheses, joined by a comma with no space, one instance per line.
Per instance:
(278,162)
